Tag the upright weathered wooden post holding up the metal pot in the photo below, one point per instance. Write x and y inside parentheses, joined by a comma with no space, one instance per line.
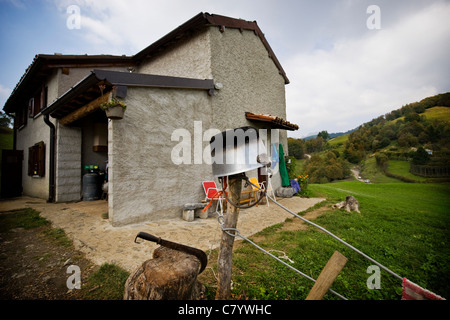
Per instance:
(224,262)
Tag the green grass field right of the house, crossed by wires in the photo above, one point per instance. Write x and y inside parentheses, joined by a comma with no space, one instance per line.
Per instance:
(403,226)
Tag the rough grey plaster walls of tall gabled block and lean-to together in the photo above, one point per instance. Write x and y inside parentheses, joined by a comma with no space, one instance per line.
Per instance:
(144,182)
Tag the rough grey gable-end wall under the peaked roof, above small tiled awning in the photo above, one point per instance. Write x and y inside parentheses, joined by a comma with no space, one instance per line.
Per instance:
(251,82)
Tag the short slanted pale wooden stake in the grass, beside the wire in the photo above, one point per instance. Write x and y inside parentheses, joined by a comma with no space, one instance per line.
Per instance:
(327,276)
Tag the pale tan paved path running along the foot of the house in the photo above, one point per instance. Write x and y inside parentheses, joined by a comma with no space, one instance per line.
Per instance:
(101,243)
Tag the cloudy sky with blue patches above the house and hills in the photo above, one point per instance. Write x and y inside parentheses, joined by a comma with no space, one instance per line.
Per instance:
(346,64)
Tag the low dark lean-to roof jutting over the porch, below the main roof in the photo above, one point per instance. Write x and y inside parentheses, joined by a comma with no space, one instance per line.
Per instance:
(102,81)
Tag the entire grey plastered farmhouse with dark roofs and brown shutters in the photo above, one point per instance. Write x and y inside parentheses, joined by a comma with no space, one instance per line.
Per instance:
(210,74)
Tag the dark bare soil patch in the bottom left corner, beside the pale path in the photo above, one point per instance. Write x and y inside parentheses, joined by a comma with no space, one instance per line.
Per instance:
(34,267)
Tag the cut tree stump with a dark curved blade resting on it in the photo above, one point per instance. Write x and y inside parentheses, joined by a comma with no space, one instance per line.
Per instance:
(170,275)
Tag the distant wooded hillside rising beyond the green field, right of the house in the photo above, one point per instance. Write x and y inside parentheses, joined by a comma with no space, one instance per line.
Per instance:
(397,135)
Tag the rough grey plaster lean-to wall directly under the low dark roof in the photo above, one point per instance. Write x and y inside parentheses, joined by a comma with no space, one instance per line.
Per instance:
(144,182)
